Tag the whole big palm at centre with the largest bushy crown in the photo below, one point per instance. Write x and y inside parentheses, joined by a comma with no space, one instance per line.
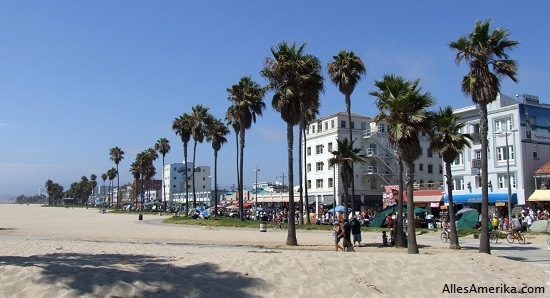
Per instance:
(295,78)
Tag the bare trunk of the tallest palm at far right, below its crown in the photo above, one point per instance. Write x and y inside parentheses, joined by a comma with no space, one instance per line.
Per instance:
(484,246)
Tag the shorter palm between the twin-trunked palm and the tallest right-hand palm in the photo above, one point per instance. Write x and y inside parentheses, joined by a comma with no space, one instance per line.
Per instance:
(449,142)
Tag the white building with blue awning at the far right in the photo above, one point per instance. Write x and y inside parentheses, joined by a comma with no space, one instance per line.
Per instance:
(523,127)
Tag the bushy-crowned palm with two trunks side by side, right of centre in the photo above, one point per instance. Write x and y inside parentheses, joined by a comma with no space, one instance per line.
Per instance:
(403,107)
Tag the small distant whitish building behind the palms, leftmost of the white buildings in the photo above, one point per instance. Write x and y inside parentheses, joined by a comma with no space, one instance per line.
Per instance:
(176,189)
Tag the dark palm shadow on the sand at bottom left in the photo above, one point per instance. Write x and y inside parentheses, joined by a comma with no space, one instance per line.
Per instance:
(134,275)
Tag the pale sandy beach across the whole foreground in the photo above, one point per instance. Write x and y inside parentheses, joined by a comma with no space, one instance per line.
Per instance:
(58,252)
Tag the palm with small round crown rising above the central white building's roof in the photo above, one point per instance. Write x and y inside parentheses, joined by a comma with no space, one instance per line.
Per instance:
(345,72)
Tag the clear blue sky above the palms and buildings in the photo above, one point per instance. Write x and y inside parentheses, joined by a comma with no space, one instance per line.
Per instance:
(80,77)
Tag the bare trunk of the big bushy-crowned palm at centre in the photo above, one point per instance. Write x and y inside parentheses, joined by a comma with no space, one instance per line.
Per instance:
(291,237)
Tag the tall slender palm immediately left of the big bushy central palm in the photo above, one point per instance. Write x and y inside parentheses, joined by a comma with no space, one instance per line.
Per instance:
(247,99)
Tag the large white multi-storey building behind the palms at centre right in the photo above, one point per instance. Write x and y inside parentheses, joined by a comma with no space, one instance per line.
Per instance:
(324,182)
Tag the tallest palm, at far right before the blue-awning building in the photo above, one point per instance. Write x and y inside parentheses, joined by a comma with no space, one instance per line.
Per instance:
(486,54)
